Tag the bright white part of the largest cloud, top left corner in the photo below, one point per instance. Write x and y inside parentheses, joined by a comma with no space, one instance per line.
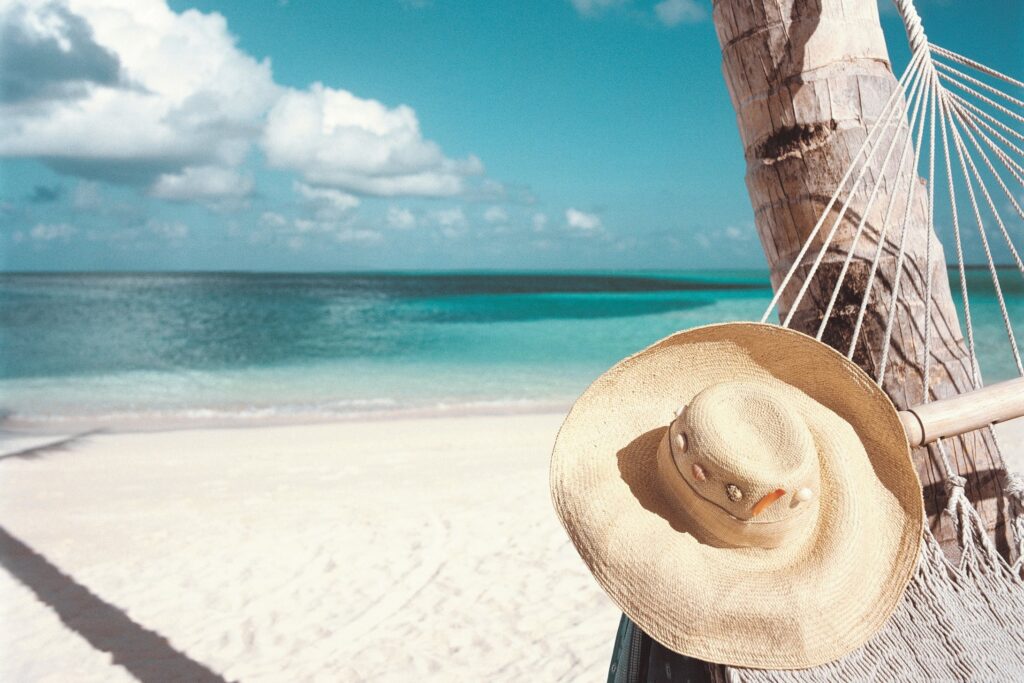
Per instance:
(185,96)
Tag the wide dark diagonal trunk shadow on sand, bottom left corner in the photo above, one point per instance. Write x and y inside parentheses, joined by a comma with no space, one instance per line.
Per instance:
(146,655)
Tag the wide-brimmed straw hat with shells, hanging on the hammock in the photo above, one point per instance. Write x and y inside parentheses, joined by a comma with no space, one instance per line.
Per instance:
(744,494)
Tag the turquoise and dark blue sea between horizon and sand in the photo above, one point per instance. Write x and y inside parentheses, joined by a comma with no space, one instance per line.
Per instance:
(138,350)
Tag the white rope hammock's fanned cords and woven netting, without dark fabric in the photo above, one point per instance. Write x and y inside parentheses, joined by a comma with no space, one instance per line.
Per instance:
(957,123)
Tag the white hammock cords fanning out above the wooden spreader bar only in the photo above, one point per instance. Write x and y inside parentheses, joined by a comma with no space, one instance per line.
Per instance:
(924,87)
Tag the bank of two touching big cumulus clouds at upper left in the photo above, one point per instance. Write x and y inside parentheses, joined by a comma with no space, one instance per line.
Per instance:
(131,92)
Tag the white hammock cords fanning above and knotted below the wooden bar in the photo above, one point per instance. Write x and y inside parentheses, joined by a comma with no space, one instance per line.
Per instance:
(940,119)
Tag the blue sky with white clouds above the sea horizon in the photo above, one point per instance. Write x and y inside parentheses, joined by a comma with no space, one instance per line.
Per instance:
(437,135)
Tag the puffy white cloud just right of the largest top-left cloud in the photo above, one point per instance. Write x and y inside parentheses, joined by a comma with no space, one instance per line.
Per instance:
(334,139)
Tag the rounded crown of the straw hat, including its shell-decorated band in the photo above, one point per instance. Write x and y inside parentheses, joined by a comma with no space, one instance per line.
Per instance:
(742,448)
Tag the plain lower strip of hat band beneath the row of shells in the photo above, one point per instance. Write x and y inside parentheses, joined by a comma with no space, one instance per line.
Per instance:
(718,523)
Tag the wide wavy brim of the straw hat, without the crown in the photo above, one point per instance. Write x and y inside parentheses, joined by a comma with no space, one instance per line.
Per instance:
(795,607)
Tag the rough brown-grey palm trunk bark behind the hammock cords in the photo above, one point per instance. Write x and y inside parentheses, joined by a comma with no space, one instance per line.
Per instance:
(808,78)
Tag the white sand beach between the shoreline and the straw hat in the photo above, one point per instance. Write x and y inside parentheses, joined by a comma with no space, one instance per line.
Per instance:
(374,551)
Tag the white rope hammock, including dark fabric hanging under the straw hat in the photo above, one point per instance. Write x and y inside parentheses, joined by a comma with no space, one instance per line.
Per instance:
(960,620)
